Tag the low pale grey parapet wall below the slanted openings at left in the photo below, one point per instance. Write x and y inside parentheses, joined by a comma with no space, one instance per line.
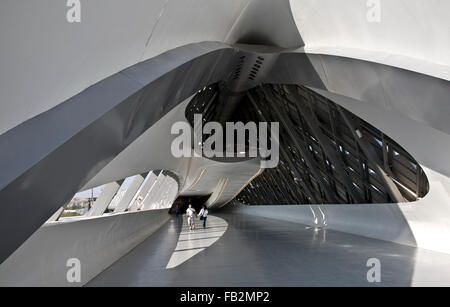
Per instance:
(96,242)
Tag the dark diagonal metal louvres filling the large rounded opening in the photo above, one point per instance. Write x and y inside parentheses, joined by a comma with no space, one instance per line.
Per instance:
(327,154)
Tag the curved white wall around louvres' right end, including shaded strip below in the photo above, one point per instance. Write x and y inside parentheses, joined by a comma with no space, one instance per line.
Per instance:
(424,223)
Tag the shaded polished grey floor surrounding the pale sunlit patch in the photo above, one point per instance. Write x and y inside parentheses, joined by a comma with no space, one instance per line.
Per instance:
(257,251)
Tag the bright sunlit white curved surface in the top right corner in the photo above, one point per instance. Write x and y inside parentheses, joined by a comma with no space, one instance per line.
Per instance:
(411,34)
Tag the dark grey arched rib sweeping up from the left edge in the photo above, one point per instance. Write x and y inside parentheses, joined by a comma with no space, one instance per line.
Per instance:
(104,119)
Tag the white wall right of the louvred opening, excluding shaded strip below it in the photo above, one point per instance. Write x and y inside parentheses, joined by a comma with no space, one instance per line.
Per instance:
(428,218)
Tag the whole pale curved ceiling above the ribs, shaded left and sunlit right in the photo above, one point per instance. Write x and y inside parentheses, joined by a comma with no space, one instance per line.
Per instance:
(51,60)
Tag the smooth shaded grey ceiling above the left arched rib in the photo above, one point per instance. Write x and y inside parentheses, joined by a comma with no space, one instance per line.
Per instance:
(45,60)
